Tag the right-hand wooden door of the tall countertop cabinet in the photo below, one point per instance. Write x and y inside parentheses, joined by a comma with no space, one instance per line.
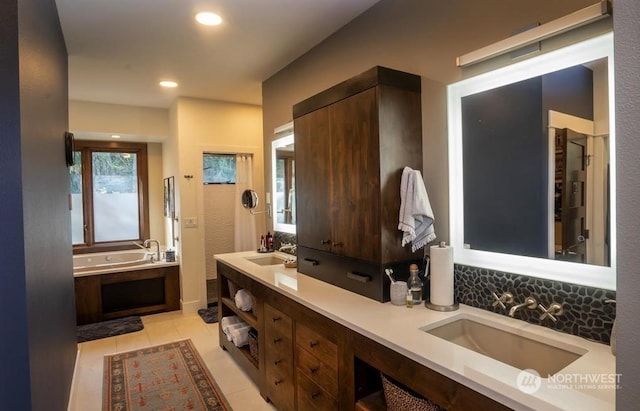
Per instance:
(355,167)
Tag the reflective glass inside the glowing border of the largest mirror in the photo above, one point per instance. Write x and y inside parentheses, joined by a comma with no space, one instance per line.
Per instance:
(535,172)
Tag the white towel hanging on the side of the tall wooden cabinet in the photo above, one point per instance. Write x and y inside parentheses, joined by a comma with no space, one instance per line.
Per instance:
(416,217)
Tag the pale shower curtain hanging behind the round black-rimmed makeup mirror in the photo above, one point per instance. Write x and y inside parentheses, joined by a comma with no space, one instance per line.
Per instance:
(245,232)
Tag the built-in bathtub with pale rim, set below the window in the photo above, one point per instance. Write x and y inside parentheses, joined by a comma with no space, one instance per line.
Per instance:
(117,261)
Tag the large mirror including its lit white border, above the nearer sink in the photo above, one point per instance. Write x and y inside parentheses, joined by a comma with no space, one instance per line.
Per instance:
(532,170)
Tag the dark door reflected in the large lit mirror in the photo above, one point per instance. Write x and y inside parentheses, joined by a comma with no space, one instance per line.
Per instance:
(572,195)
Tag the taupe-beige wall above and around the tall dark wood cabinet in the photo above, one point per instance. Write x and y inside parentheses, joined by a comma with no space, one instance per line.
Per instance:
(421,37)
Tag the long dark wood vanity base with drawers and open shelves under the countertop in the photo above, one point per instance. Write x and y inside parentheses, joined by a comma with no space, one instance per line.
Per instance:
(310,362)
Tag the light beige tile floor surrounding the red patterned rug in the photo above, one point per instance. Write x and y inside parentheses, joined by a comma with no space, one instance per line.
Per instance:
(239,390)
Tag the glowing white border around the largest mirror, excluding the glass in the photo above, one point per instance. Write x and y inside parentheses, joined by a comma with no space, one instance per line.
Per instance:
(578,273)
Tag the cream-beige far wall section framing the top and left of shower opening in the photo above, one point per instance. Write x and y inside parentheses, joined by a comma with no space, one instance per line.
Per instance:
(197,126)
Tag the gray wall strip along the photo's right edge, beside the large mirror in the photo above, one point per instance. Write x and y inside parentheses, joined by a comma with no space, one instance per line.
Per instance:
(627,71)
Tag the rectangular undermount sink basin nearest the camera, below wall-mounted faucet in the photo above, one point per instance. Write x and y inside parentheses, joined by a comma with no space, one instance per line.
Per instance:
(506,345)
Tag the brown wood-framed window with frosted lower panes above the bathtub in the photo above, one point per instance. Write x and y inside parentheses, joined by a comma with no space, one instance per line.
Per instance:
(108,195)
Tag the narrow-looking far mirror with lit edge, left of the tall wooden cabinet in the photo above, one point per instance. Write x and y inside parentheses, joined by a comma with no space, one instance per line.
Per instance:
(284,180)
